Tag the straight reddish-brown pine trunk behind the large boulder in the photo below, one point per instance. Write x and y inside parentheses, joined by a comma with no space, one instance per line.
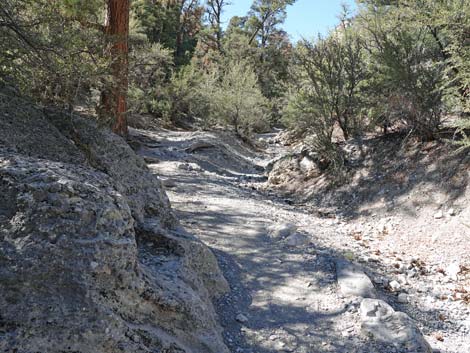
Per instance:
(114,99)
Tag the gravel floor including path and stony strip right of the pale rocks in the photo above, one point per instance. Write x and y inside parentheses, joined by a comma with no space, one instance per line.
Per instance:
(279,258)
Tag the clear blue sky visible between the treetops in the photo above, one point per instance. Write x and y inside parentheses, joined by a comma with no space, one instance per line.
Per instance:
(305,18)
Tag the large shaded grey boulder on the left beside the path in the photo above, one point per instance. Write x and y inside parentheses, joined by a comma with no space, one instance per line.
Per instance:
(91,257)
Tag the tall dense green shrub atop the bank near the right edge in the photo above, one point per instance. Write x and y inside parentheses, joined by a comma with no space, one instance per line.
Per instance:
(407,71)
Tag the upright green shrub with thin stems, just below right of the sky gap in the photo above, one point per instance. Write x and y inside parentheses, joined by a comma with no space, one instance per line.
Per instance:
(326,93)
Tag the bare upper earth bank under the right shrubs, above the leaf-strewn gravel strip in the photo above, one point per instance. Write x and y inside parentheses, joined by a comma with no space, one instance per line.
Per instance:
(407,193)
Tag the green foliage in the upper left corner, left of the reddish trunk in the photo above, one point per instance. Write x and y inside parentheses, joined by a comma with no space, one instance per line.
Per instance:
(47,53)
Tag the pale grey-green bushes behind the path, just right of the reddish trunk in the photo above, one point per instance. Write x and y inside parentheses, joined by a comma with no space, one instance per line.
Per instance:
(228,97)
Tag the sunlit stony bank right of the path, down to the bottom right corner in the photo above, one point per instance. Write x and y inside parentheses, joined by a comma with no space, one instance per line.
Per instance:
(402,211)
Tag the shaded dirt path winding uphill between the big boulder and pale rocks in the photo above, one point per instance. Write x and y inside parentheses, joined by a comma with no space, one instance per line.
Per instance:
(284,296)
